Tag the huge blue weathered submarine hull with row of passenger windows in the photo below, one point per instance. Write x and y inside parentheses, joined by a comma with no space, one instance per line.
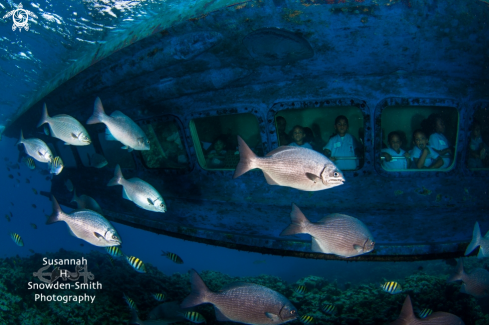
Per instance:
(220,69)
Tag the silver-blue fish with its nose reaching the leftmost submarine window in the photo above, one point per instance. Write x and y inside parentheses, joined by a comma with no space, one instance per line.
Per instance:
(120,128)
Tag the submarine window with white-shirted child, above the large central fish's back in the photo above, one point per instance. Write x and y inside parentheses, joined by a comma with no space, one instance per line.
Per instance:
(321,132)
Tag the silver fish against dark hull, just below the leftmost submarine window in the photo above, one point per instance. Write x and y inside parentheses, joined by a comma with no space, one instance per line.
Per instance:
(139,192)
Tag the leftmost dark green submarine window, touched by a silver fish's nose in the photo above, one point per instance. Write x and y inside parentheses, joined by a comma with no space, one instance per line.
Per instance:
(167,149)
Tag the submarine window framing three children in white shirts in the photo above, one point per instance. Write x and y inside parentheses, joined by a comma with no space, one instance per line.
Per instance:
(405,132)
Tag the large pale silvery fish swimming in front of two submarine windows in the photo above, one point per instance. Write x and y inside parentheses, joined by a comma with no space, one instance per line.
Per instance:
(296,167)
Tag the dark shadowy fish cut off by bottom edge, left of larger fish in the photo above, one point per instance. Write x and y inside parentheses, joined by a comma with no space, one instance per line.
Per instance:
(165,313)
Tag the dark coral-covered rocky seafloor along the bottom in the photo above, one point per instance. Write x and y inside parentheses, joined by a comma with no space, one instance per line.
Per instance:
(356,304)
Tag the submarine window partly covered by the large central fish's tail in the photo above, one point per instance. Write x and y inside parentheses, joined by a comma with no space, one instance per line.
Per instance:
(216,143)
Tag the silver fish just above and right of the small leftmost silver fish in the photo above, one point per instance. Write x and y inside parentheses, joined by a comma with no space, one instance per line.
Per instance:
(66,128)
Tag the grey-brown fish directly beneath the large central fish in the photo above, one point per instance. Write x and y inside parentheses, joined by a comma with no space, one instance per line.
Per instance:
(336,233)
